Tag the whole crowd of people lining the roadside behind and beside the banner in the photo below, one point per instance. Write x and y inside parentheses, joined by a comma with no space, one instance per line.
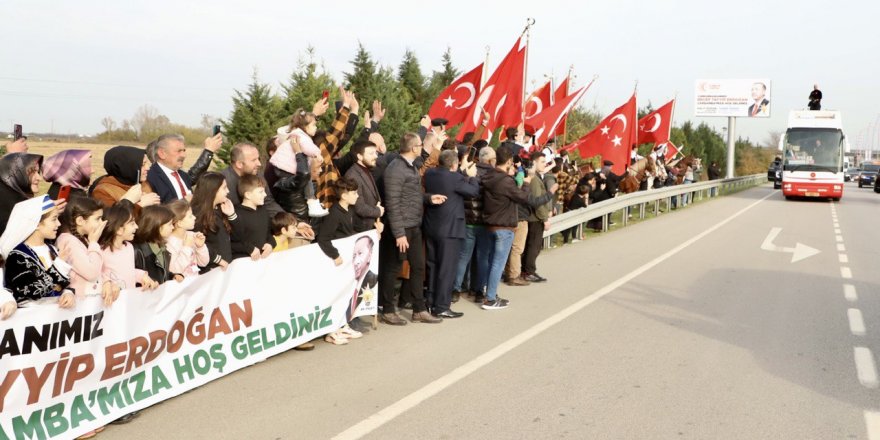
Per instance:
(456,218)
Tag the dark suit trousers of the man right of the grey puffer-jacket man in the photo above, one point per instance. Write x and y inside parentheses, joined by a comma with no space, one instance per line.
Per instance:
(443,256)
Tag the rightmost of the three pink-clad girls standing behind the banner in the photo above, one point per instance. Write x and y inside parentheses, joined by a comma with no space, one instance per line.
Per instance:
(188,250)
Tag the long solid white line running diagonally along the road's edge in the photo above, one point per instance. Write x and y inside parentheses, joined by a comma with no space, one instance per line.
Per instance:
(415,398)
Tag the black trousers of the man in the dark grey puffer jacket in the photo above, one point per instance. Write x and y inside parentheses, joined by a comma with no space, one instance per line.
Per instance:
(390,261)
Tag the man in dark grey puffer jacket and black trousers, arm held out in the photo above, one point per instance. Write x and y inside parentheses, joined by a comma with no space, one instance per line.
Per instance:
(402,238)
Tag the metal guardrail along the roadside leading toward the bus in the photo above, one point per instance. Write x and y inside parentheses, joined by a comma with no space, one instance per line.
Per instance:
(683,194)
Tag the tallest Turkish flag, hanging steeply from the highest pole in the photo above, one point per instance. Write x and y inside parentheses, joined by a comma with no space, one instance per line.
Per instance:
(501,95)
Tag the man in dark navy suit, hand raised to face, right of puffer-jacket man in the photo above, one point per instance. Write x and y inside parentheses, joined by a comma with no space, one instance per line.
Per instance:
(444,226)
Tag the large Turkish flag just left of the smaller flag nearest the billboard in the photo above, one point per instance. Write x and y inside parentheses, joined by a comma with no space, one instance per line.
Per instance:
(612,138)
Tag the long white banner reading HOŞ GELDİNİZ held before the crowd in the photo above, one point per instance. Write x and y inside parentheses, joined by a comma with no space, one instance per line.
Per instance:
(66,372)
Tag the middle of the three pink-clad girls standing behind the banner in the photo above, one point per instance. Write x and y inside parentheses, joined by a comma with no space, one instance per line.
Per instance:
(118,253)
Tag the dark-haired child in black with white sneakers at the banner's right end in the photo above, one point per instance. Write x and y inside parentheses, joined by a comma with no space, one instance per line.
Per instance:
(338,224)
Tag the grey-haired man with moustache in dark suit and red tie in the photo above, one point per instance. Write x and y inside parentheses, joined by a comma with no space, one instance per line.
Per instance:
(165,176)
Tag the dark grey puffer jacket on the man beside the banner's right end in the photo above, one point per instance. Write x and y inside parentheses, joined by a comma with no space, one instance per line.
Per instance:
(404,198)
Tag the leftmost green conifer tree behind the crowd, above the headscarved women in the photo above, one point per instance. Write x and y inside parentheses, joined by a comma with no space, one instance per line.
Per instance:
(254,118)
